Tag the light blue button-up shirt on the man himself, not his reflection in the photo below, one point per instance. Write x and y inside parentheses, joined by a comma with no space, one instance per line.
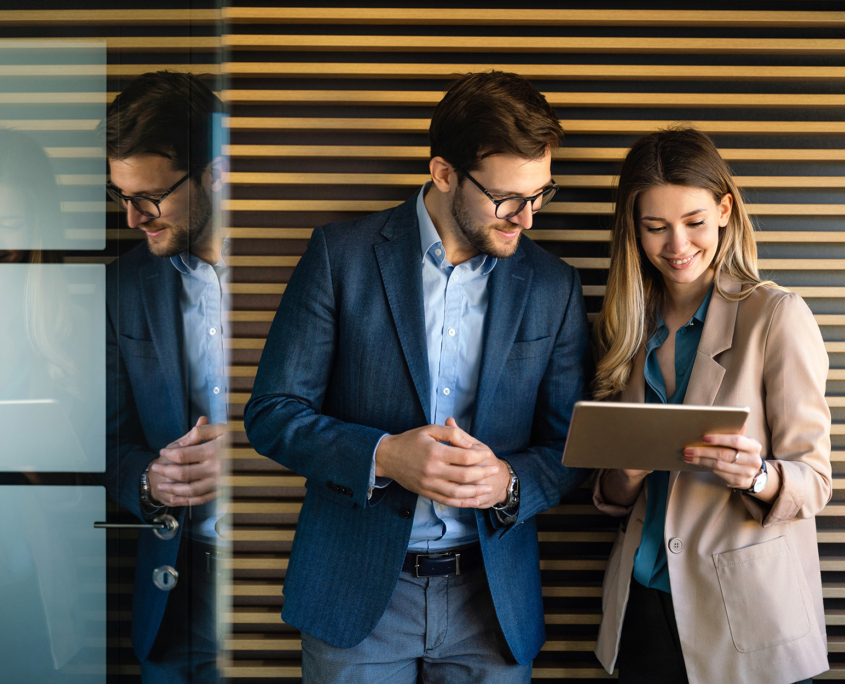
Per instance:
(455,301)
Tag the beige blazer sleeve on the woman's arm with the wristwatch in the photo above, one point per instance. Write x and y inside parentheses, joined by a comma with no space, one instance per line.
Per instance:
(794,376)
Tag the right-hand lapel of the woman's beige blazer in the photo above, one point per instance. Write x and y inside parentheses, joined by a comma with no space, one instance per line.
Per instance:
(717,336)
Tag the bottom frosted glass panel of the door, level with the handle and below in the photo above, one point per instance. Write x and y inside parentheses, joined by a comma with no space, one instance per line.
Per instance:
(52,585)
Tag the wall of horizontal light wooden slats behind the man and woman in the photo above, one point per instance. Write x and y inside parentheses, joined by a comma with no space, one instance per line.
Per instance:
(329,113)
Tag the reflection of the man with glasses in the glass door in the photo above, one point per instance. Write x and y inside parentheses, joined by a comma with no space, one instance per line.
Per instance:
(167,388)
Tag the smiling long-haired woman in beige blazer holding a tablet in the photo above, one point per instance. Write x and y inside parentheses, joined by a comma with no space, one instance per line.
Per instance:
(714,576)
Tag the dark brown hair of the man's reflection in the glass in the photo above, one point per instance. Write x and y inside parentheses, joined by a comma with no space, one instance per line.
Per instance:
(164,113)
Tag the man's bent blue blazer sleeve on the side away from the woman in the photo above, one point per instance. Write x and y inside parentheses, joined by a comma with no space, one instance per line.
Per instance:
(282,418)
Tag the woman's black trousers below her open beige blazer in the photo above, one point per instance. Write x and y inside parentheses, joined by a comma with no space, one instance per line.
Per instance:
(650,648)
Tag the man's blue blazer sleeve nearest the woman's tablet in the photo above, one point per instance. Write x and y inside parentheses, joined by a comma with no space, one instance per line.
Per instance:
(543,479)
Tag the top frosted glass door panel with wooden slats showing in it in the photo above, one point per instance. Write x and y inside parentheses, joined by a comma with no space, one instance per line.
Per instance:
(52,163)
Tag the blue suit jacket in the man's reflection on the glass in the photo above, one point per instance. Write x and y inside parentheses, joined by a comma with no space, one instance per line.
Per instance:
(147,406)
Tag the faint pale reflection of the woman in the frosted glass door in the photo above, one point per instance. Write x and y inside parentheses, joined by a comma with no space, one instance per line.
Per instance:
(40,335)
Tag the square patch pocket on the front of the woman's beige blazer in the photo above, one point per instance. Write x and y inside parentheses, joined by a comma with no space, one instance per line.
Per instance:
(762,595)
